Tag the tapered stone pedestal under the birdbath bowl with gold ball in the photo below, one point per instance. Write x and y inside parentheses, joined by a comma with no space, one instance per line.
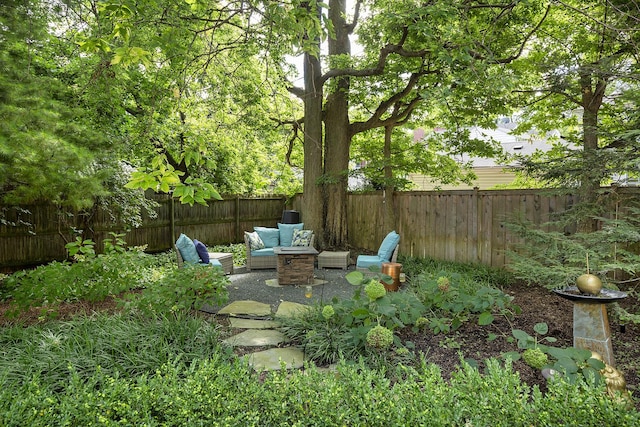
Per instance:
(591,330)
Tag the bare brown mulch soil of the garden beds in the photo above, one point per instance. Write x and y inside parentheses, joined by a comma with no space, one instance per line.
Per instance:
(470,341)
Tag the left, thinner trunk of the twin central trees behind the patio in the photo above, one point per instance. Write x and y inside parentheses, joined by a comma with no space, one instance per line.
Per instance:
(312,213)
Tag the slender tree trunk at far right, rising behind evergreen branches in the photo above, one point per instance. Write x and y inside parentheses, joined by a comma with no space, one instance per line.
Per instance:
(592,174)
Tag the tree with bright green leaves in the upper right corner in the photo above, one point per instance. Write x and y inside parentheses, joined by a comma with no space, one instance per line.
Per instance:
(581,88)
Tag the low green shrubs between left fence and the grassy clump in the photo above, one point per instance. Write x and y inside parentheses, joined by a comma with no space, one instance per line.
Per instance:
(161,286)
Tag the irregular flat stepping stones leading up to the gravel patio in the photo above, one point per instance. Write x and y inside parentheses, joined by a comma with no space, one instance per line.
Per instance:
(260,330)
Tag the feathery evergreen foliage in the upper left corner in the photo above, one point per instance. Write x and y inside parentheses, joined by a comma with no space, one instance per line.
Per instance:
(48,143)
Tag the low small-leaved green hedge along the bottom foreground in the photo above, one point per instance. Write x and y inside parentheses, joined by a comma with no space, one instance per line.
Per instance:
(227,393)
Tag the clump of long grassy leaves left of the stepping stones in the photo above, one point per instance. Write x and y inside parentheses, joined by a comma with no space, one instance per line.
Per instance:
(106,345)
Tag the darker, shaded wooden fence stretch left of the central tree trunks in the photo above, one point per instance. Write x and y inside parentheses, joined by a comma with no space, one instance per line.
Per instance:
(221,222)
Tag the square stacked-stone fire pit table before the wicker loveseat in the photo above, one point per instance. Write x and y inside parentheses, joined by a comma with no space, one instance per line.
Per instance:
(295,264)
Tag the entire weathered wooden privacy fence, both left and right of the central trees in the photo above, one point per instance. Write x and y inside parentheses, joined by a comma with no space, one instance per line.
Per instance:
(463,226)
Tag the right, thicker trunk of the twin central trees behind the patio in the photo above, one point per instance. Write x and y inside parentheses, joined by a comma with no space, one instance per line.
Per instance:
(337,137)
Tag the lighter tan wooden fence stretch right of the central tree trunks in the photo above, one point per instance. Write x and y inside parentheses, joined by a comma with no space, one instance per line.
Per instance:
(465,226)
